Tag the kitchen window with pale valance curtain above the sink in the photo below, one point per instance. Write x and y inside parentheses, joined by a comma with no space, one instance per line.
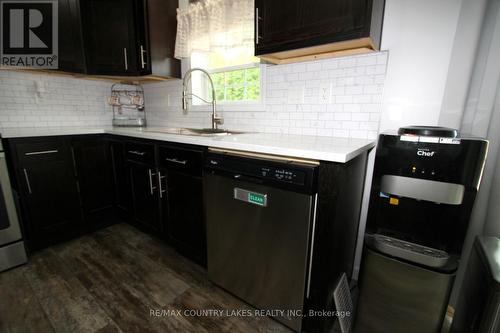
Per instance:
(217,35)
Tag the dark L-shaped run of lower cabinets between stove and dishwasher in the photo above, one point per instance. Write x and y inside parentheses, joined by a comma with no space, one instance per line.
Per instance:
(69,185)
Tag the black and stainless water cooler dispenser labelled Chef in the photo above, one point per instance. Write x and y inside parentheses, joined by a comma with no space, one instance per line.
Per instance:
(424,185)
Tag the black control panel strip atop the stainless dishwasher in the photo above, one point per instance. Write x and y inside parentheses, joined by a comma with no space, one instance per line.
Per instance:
(294,174)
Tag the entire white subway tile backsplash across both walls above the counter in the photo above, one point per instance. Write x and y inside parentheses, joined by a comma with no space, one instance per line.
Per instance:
(331,97)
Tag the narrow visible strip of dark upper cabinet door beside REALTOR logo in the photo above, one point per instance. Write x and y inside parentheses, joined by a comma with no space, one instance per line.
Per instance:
(71,55)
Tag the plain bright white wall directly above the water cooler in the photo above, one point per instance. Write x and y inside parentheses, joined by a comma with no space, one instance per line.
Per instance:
(419,36)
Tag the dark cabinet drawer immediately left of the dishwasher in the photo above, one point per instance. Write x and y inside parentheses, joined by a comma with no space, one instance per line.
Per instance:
(184,160)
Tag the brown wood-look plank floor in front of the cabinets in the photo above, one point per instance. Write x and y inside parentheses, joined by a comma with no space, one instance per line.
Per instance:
(110,281)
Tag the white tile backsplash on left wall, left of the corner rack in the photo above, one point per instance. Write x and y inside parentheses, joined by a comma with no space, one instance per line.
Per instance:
(64,102)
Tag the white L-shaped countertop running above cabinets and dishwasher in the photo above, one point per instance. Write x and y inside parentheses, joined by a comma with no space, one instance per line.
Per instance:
(299,146)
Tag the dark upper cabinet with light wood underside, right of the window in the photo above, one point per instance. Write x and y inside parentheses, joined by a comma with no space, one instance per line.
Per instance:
(295,30)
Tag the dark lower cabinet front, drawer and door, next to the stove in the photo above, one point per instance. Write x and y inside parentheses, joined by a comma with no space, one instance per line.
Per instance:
(49,191)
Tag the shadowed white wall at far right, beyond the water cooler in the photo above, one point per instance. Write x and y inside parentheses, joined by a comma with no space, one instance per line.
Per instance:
(481,118)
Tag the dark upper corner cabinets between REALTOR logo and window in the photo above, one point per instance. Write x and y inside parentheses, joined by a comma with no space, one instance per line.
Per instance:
(134,38)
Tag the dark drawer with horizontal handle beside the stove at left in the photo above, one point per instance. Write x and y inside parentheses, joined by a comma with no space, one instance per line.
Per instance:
(41,150)
